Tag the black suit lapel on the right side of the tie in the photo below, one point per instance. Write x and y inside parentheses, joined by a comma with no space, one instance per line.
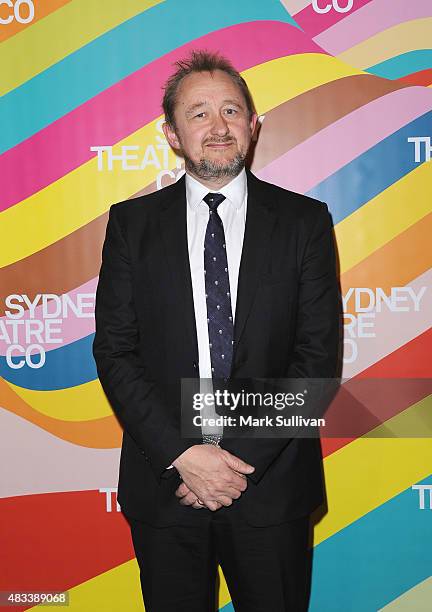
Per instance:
(260,218)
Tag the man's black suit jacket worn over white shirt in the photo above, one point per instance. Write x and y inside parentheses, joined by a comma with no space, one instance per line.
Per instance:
(286,325)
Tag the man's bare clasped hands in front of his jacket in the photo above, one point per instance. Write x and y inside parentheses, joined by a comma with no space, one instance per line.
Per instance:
(212,475)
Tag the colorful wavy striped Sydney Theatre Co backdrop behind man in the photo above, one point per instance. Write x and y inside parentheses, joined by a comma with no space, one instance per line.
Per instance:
(343,90)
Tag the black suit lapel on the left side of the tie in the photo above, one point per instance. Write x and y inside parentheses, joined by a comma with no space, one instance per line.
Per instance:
(174,237)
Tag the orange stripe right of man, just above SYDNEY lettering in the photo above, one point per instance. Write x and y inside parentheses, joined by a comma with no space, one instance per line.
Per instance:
(395,264)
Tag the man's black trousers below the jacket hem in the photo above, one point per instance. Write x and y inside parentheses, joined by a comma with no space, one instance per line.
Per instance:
(266,568)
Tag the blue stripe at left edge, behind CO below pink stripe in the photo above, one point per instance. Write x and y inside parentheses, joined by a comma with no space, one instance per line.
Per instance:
(67,366)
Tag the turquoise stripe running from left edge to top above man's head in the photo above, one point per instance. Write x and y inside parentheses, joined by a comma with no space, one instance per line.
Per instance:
(117,54)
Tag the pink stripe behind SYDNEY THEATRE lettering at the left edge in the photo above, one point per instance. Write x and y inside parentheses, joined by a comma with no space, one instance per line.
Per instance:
(72,327)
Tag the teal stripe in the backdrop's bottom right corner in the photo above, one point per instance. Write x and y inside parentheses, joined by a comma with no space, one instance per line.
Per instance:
(376,559)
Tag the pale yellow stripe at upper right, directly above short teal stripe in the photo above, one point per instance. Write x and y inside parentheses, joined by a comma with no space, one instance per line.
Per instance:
(402,38)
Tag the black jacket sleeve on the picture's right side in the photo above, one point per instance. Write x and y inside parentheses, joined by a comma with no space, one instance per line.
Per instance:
(315,351)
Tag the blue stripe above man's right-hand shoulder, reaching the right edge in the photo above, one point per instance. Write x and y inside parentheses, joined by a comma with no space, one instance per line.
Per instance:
(372,172)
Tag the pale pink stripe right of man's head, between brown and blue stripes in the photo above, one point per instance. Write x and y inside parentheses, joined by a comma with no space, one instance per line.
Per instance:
(321,155)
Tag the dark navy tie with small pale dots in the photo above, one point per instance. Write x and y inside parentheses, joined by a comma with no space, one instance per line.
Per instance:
(218,297)
